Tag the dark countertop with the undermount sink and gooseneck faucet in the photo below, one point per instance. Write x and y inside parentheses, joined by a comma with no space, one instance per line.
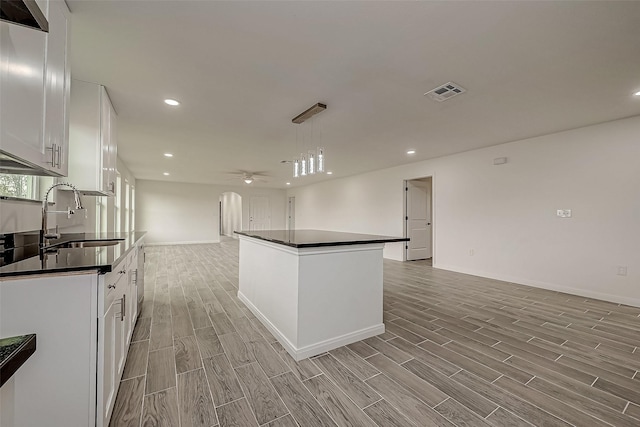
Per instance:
(60,260)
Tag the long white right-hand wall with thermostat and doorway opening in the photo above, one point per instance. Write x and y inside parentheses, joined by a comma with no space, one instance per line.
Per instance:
(507,213)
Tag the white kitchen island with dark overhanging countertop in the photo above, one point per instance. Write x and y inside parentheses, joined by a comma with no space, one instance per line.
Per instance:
(314,290)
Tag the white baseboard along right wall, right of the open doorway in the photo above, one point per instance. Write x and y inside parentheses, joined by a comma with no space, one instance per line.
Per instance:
(617,299)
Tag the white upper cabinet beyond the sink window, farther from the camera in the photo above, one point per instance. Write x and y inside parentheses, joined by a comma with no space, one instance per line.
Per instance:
(92,139)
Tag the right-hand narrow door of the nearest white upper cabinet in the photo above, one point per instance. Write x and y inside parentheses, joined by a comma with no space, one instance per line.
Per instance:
(56,137)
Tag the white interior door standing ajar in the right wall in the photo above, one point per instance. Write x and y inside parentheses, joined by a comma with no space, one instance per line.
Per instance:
(418,220)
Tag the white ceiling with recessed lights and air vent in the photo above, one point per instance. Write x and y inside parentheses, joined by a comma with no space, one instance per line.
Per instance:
(243,70)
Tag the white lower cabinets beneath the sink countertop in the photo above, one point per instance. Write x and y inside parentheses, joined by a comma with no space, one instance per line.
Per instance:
(83,325)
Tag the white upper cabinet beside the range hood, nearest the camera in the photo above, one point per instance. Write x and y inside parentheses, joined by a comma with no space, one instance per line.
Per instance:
(34,94)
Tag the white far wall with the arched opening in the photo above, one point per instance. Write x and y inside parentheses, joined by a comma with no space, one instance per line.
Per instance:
(173,212)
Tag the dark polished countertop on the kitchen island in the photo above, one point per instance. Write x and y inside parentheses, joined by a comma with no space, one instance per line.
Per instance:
(318,238)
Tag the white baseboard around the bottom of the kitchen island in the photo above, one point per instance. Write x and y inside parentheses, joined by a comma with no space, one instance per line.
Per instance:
(316,348)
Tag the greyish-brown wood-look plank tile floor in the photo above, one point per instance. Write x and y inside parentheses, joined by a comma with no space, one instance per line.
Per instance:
(458,350)
